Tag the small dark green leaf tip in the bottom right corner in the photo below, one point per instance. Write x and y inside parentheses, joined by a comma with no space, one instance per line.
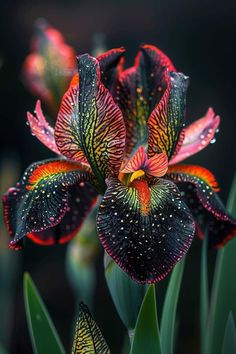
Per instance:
(229,343)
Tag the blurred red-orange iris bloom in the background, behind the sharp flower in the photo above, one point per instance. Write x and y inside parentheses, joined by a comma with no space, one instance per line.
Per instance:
(48,69)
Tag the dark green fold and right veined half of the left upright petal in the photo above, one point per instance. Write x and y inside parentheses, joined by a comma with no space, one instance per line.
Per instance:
(101,126)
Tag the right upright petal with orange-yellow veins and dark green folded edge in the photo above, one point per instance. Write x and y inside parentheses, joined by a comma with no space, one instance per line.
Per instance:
(166,120)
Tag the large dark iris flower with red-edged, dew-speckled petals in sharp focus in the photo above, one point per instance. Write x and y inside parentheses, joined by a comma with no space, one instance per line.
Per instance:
(121,134)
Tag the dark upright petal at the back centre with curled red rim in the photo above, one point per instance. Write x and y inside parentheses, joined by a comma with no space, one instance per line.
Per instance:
(139,91)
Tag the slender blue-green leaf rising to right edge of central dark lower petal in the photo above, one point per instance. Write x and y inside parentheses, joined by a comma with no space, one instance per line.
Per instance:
(169,309)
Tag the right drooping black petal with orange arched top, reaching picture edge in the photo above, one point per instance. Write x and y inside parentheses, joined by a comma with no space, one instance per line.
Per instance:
(199,187)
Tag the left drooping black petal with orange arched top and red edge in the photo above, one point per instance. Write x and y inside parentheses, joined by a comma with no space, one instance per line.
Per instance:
(43,198)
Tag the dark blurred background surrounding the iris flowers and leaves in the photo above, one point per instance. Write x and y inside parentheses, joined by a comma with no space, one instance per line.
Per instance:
(199,37)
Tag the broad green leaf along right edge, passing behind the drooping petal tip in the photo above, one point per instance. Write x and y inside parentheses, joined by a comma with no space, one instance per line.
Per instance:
(224,287)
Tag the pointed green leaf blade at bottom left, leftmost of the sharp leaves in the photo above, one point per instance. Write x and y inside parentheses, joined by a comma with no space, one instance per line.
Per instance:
(43,334)
